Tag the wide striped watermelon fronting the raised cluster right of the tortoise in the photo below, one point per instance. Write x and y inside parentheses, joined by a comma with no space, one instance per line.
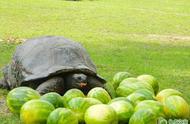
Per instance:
(125,89)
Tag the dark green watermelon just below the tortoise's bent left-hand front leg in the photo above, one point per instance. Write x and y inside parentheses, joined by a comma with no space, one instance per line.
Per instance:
(54,98)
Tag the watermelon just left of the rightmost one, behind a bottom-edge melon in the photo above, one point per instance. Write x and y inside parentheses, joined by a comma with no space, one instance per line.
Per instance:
(155,106)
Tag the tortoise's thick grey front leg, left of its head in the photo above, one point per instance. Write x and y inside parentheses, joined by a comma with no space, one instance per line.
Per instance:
(55,84)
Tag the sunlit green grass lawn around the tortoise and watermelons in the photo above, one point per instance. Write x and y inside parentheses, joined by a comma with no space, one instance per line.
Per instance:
(138,36)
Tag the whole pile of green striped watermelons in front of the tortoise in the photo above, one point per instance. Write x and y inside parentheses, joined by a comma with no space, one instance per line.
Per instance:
(138,101)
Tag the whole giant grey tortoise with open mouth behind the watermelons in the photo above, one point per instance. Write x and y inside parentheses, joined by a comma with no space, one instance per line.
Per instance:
(51,63)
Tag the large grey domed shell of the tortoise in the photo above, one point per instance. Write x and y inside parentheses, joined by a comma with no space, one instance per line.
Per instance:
(46,56)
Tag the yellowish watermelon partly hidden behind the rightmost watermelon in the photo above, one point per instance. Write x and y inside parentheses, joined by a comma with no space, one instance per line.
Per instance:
(162,95)
